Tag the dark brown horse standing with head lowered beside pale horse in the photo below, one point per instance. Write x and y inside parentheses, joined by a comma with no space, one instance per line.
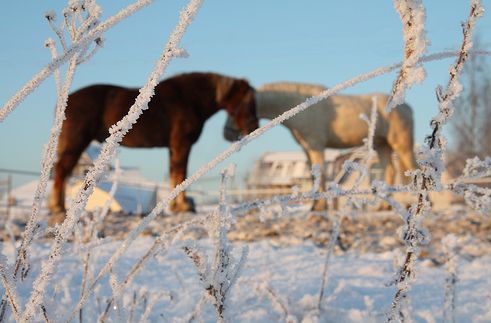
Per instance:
(175,118)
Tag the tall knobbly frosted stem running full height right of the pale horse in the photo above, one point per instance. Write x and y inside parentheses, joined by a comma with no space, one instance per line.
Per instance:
(429,177)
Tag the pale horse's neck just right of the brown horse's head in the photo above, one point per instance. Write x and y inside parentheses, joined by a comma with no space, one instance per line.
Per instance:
(270,104)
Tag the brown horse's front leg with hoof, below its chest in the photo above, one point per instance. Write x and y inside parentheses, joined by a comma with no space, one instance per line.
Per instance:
(179,151)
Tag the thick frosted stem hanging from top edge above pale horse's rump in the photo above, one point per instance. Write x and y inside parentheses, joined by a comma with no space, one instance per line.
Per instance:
(412,13)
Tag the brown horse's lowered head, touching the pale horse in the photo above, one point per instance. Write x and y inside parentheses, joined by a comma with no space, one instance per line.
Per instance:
(237,97)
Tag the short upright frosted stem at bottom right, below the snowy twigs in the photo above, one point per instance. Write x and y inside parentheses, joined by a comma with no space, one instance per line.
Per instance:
(449,244)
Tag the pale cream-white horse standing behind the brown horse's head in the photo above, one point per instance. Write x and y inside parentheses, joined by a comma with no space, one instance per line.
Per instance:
(335,123)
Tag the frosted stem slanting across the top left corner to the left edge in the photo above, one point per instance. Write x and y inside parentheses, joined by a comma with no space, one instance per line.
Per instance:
(30,86)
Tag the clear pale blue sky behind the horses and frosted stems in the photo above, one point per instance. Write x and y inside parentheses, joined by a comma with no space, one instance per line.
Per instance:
(320,41)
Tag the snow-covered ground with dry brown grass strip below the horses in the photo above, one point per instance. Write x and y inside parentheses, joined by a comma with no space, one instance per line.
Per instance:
(282,276)
